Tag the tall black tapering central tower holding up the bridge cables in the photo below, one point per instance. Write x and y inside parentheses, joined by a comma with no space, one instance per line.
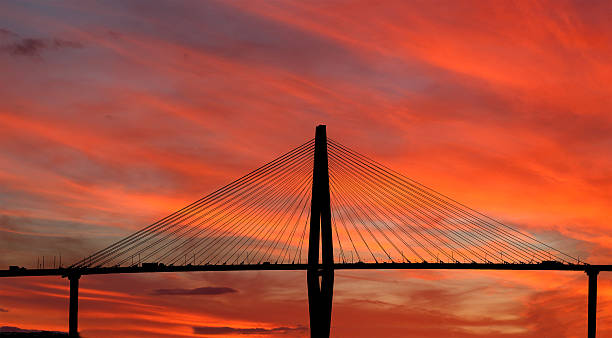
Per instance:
(320,274)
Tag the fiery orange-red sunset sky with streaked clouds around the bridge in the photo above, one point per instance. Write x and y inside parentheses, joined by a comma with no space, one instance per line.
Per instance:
(115,113)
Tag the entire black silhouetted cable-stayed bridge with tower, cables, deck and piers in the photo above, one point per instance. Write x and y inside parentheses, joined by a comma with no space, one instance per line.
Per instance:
(322,207)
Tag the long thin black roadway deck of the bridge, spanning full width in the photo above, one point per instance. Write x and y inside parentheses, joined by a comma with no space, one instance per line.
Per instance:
(289,267)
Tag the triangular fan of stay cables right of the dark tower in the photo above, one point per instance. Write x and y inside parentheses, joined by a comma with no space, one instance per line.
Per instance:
(379,215)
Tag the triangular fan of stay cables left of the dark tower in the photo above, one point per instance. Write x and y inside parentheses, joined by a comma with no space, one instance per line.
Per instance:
(261,217)
